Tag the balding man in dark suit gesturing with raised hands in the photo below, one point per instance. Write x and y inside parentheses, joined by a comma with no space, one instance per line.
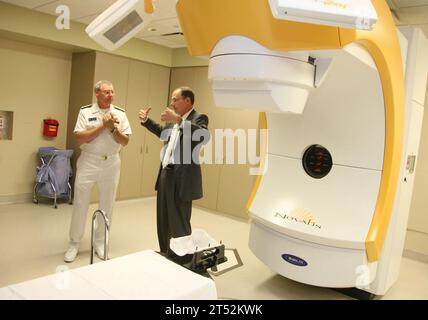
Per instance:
(179,180)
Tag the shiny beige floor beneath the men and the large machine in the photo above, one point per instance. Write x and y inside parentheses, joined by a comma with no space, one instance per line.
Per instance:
(33,239)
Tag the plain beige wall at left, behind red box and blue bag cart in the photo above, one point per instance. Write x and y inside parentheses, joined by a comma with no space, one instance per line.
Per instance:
(34,84)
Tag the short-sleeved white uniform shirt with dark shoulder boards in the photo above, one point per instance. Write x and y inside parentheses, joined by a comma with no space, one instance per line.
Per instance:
(92,116)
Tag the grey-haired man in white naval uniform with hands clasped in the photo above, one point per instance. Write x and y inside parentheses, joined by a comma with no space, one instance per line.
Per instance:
(101,130)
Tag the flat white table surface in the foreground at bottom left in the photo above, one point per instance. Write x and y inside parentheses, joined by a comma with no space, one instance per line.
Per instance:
(142,275)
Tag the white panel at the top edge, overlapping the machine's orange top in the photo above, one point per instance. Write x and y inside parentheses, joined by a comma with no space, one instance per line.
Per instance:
(354,14)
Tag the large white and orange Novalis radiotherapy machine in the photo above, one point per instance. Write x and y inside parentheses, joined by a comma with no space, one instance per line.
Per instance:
(343,109)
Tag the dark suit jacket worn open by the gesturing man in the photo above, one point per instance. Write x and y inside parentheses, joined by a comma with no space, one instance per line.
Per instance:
(187,170)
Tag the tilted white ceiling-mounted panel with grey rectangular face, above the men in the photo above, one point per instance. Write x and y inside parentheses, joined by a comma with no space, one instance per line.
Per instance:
(120,22)
